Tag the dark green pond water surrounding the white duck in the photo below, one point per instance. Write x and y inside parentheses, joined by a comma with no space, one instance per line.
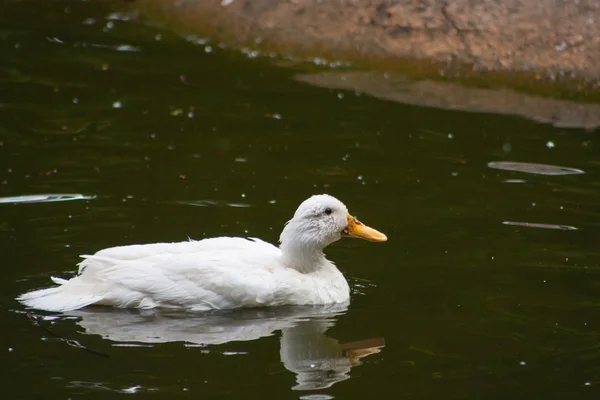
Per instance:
(171,139)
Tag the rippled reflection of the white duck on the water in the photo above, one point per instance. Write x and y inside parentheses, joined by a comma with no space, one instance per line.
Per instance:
(317,360)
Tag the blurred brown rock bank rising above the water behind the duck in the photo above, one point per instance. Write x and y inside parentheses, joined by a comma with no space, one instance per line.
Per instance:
(545,36)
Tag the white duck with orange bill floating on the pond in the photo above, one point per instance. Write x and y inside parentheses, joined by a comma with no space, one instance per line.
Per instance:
(217,273)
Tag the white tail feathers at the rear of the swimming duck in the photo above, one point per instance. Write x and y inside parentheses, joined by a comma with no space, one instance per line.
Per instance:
(70,295)
